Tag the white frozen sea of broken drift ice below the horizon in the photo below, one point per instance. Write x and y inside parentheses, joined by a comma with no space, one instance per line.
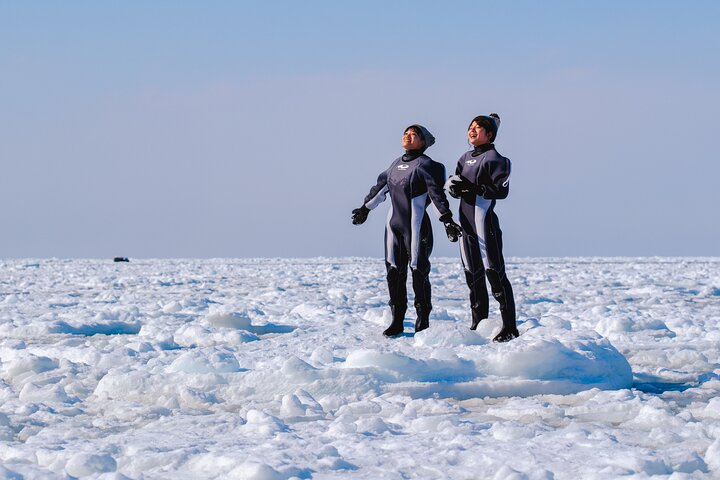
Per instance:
(277,369)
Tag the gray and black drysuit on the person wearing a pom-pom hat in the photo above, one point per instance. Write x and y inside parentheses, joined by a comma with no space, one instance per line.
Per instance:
(481,243)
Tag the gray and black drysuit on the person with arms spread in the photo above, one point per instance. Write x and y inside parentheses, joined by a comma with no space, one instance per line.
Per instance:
(412,181)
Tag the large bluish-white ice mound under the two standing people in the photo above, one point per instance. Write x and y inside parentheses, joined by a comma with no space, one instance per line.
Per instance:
(550,359)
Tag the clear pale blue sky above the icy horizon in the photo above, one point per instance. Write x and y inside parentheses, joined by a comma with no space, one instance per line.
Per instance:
(244,129)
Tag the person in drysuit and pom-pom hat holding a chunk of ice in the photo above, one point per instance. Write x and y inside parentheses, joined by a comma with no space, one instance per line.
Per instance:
(482,177)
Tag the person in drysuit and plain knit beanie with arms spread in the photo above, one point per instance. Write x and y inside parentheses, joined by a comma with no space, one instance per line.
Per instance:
(412,181)
